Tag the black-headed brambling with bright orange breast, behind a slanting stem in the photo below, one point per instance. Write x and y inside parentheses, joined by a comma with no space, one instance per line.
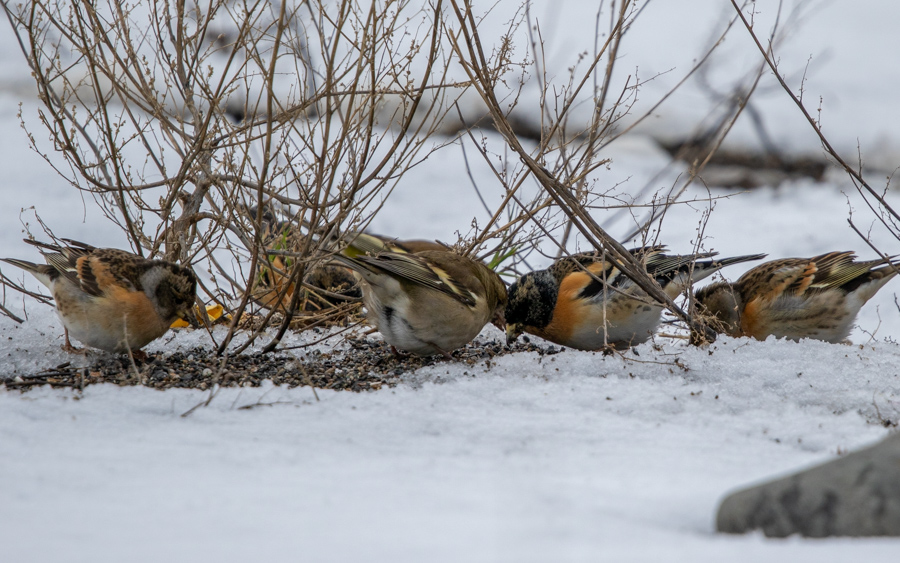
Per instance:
(584,301)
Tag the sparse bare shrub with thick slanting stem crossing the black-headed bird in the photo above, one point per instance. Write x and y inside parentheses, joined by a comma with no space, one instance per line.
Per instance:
(567,155)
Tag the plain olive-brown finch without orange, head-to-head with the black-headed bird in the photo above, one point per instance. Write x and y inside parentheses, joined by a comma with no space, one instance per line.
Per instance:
(429,301)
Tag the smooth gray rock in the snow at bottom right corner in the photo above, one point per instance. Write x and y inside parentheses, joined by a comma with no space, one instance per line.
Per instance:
(855,495)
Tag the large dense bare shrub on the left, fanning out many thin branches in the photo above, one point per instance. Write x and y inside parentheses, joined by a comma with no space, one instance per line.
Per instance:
(178,118)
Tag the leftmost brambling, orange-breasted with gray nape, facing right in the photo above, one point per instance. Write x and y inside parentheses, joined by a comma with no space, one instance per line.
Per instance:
(111,299)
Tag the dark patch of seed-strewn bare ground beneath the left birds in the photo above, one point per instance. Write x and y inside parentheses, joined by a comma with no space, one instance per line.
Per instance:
(366,366)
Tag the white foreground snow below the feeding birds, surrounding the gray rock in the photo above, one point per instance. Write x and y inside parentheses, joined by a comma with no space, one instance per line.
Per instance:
(567,459)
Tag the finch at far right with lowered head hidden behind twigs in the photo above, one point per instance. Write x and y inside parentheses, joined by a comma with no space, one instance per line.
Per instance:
(796,298)
